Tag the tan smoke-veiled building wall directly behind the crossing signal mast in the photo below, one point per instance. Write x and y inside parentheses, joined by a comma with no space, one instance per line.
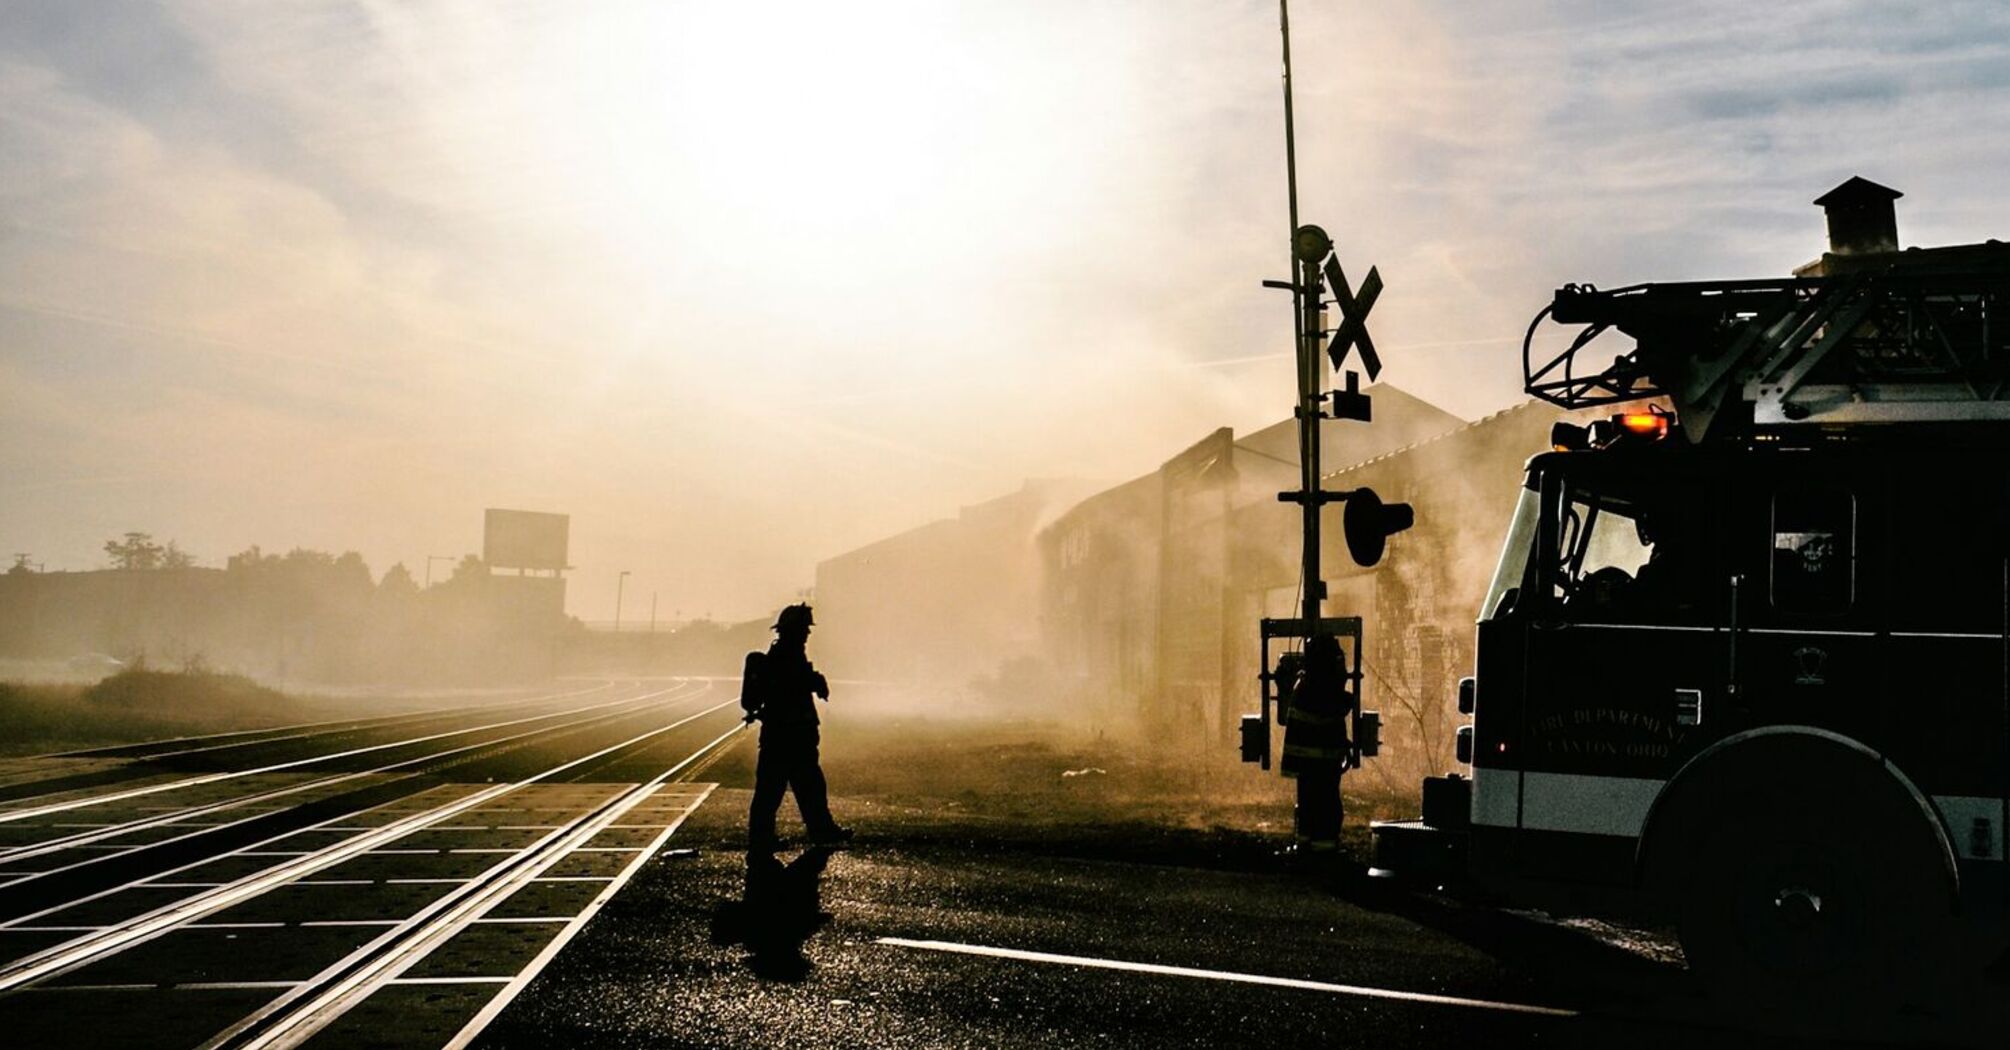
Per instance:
(1155,590)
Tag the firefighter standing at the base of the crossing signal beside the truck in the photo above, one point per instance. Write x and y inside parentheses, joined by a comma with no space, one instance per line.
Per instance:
(1316,741)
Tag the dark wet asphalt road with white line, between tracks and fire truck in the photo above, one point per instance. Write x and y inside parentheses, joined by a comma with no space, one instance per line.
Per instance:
(950,932)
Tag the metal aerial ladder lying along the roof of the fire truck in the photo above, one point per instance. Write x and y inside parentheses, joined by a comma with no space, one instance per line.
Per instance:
(1894,345)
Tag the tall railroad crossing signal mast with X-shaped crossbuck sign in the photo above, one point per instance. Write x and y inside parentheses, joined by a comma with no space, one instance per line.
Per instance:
(1368,520)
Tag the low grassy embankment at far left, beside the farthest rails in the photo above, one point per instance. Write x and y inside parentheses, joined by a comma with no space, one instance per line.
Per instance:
(138,705)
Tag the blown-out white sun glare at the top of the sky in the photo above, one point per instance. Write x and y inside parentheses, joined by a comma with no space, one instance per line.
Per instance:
(871,136)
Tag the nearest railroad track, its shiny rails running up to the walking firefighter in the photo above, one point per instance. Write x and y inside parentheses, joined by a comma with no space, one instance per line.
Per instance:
(385,902)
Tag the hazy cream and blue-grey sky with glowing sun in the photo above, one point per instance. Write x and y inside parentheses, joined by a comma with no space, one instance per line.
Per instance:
(745,285)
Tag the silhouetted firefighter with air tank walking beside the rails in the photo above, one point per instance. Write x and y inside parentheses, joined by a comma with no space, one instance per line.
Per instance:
(781,691)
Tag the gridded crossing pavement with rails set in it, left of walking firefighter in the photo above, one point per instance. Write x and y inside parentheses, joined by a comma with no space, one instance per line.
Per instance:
(439,967)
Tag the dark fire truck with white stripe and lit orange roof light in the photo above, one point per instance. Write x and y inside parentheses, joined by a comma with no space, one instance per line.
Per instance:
(1746,659)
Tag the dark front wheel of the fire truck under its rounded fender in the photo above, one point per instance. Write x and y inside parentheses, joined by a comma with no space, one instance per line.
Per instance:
(1820,894)
